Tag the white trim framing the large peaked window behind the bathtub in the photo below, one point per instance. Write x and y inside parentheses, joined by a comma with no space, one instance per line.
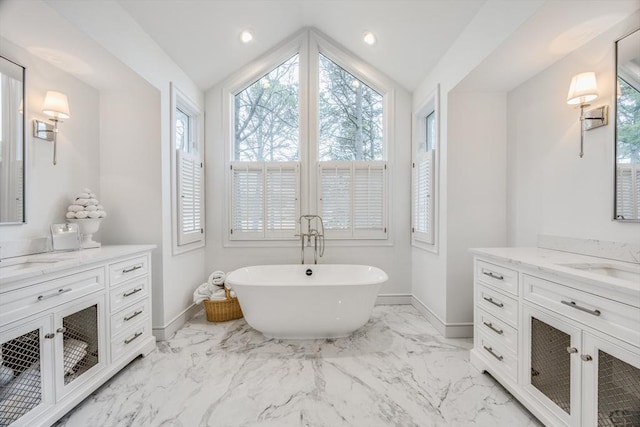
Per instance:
(309,42)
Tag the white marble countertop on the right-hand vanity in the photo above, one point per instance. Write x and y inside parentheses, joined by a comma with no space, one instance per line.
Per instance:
(560,264)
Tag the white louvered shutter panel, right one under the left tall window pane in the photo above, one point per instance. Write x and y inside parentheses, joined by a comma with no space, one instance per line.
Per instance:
(282,194)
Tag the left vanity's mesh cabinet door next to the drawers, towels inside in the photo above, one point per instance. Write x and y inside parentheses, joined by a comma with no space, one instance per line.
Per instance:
(80,342)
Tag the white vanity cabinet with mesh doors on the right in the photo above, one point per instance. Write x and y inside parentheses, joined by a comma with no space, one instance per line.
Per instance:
(567,348)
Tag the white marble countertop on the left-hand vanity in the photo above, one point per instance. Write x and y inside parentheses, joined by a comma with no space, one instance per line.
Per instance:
(32,266)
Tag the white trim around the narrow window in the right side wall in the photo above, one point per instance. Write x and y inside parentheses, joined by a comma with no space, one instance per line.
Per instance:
(431,104)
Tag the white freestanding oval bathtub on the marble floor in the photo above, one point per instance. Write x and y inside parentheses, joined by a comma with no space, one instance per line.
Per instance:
(307,301)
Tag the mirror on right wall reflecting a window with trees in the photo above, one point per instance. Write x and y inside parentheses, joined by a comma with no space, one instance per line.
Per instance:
(627,130)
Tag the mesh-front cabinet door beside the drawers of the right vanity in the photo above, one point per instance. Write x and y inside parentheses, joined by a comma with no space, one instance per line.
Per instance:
(551,372)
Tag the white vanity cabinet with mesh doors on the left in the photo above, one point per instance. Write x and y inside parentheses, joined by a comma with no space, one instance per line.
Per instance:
(61,335)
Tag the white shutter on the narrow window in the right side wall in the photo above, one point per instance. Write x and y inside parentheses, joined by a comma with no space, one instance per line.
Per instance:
(422,227)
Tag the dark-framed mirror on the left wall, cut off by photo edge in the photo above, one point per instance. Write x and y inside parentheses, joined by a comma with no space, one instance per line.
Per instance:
(12,142)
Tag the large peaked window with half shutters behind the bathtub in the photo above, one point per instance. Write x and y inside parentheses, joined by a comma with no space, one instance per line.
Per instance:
(308,122)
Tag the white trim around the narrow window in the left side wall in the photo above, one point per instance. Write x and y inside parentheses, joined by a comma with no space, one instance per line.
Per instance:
(180,100)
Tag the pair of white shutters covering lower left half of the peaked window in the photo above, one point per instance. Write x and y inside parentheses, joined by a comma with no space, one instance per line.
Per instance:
(265,200)
